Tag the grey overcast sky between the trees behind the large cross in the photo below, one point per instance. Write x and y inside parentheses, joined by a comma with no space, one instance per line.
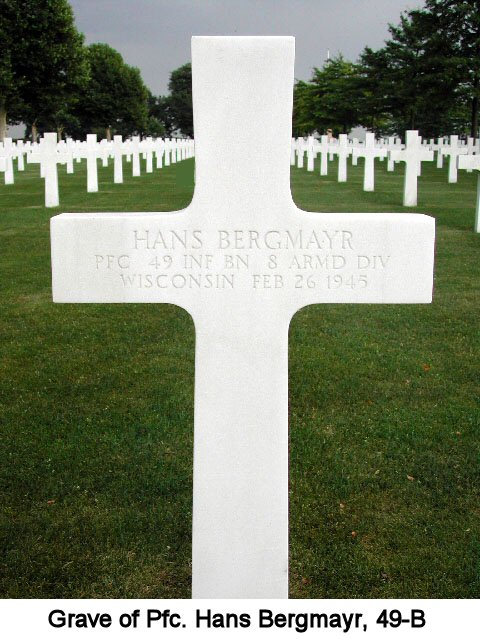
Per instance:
(154,35)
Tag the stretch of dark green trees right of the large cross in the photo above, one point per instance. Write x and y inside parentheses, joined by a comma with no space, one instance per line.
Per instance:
(425,77)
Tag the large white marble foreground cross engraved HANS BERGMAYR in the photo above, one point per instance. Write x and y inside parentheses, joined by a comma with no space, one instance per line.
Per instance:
(242,259)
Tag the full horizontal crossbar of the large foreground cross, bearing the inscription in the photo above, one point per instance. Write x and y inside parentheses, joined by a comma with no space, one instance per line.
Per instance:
(300,258)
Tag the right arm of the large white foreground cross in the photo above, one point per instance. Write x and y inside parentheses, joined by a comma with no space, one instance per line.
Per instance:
(362,258)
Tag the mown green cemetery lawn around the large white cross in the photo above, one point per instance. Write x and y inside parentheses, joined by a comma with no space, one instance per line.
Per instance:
(96,414)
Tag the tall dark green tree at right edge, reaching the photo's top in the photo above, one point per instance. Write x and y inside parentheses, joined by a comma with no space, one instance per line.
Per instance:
(426,76)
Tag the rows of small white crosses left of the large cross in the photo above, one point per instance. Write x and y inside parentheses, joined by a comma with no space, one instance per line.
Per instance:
(49,154)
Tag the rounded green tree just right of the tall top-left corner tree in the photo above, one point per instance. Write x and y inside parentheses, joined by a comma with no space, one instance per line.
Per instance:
(115,98)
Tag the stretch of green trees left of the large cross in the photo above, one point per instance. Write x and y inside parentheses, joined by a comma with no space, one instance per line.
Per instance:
(50,80)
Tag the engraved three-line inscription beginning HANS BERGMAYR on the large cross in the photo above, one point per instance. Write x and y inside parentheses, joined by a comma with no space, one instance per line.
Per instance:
(224,259)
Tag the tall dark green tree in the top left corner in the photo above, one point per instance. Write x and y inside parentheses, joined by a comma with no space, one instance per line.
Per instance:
(42,64)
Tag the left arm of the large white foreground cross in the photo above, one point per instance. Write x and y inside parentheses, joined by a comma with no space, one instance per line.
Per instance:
(124,257)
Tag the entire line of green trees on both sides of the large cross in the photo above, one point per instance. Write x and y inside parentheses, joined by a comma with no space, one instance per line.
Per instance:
(425,77)
